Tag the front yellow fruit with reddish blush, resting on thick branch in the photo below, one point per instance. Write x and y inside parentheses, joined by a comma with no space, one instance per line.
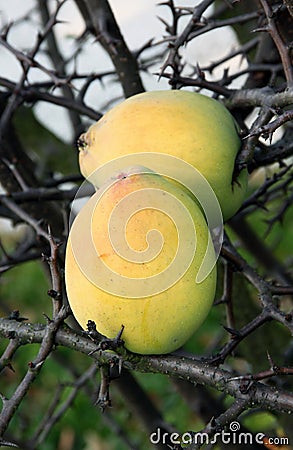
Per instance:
(132,258)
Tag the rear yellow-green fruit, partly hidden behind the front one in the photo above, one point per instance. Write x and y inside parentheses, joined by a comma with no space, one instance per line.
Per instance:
(190,126)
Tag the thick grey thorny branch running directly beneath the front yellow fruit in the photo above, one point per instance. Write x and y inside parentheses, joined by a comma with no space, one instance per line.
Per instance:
(186,367)
